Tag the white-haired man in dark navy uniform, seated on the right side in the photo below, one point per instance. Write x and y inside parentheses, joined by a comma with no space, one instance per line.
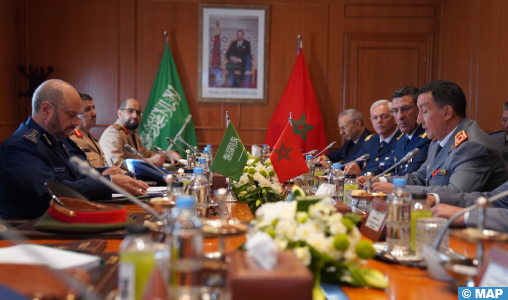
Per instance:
(380,146)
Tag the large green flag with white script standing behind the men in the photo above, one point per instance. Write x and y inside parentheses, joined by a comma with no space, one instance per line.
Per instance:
(167,113)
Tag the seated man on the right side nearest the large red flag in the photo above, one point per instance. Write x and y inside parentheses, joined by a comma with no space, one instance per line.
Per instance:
(352,129)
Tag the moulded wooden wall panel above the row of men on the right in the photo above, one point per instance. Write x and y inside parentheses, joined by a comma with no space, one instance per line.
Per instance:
(377,65)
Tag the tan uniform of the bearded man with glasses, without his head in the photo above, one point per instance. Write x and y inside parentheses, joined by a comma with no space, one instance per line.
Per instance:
(113,139)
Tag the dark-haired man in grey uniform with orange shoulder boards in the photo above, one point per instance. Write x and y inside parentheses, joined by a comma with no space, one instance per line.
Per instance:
(469,160)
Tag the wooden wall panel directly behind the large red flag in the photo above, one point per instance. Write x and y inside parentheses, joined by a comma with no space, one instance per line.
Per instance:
(287,21)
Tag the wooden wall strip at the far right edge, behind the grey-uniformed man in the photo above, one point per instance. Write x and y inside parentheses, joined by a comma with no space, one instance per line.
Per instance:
(492,63)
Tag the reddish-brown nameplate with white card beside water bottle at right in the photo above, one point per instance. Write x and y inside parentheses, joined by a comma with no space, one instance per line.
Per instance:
(374,226)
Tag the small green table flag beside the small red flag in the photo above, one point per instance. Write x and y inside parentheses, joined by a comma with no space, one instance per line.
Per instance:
(231,157)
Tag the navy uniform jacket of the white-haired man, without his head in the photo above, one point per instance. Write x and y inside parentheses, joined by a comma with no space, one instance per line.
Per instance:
(377,158)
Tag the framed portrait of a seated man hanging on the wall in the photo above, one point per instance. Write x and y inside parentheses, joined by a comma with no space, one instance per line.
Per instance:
(233,53)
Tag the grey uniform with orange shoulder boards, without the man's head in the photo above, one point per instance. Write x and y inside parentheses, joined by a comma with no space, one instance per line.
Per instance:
(468,162)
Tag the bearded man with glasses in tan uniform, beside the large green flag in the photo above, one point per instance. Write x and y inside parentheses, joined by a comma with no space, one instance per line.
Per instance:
(124,131)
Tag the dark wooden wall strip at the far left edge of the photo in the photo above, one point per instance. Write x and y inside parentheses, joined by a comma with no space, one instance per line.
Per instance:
(8,69)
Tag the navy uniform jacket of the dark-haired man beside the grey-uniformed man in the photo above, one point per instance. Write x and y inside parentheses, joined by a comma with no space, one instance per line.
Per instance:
(419,140)
